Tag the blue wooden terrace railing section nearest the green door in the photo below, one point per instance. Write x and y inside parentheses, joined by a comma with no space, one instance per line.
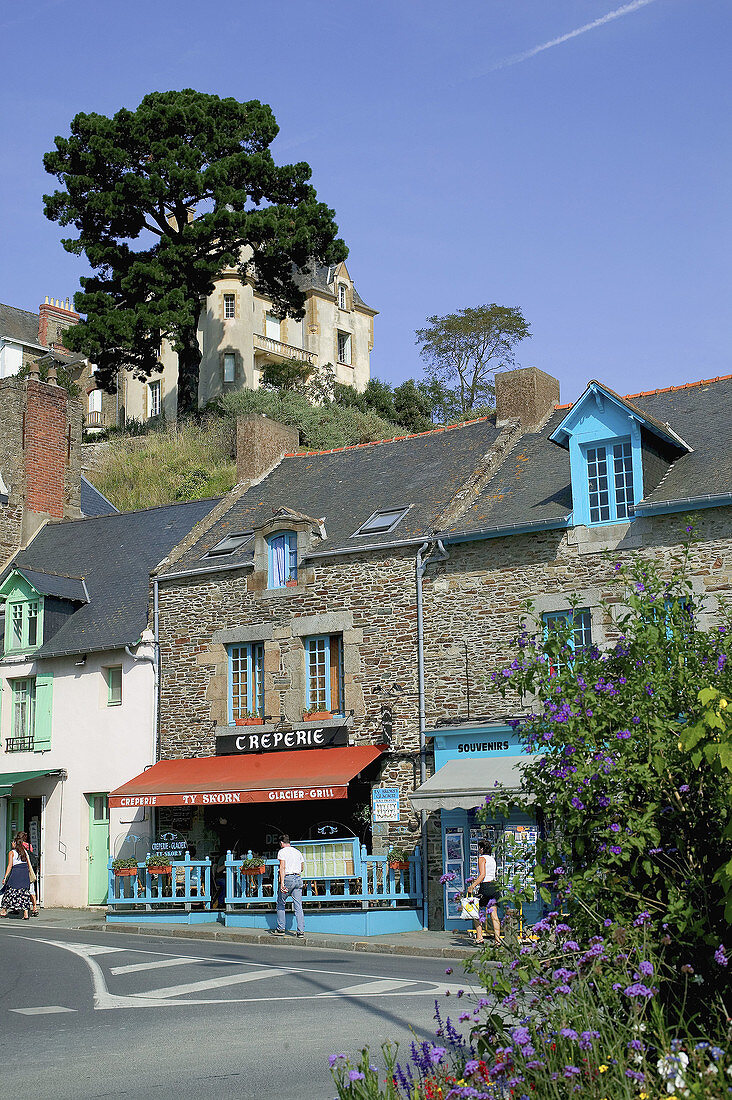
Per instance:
(189,884)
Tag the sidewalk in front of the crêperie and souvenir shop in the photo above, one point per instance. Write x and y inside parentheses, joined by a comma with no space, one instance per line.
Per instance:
(449,945)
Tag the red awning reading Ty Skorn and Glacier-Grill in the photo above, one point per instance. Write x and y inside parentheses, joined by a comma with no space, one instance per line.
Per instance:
(309,775)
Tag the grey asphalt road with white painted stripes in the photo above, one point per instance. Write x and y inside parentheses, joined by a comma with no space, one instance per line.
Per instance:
(111,1015)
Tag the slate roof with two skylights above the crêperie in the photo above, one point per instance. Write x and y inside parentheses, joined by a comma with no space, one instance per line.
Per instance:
(347,486)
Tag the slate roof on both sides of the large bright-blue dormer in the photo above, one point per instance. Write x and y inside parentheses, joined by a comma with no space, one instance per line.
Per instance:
(533,486)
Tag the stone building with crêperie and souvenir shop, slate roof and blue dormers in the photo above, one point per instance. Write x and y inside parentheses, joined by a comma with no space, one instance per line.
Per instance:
(354,603)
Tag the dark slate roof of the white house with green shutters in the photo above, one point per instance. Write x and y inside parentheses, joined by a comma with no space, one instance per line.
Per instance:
(115,556)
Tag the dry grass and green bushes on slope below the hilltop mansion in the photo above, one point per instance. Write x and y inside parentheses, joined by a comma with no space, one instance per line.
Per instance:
(196,459)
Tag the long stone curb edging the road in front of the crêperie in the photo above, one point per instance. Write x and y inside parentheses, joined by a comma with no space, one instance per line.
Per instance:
(228,936)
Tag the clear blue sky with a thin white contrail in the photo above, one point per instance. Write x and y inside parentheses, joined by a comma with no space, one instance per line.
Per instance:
(588,184)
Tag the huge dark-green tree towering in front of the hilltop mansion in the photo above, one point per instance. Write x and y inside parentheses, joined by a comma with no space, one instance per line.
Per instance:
(163,199)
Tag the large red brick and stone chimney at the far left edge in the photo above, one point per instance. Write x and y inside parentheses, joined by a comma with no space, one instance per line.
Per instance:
(40,460)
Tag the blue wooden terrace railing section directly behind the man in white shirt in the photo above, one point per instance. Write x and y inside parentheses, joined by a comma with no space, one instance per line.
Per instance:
(374,884)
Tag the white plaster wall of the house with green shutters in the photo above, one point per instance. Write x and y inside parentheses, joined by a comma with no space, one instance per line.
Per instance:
(100,746)
